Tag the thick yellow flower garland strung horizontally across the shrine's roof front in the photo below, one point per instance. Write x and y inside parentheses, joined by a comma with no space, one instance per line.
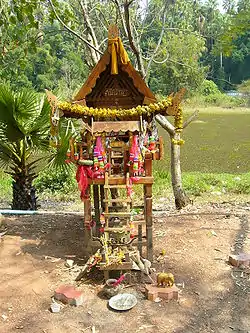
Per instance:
(160,107)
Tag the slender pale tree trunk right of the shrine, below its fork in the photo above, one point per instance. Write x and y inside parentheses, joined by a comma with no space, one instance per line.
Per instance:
(181,199)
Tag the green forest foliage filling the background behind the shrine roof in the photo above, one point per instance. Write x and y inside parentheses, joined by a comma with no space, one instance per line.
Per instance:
(199,41)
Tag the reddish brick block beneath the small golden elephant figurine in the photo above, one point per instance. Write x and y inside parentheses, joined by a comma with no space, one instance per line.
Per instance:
(166,293)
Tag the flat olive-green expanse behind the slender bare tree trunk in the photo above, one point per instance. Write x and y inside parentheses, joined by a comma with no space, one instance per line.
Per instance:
(218,141)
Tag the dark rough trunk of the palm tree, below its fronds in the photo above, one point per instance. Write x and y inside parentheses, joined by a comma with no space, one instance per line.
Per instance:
(24,196)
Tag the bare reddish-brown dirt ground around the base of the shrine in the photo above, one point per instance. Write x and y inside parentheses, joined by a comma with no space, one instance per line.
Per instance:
(214,297)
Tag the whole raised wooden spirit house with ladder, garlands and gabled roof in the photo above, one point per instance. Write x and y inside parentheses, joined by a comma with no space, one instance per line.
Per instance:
(114,152)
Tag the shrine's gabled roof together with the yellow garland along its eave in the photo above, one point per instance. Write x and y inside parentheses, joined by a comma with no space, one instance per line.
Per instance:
(115,90)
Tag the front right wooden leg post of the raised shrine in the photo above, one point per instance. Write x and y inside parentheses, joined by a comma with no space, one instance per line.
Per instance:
(149,220)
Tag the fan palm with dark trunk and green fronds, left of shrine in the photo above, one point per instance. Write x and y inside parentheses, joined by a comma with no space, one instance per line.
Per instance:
(24,134)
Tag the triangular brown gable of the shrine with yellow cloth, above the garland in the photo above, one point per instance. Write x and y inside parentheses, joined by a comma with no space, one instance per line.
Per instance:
(114,82)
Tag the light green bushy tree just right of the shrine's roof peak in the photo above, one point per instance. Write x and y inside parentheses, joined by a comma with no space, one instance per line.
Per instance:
(181,68)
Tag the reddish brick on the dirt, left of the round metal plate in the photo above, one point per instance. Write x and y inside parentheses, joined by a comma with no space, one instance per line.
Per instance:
(69,295)
